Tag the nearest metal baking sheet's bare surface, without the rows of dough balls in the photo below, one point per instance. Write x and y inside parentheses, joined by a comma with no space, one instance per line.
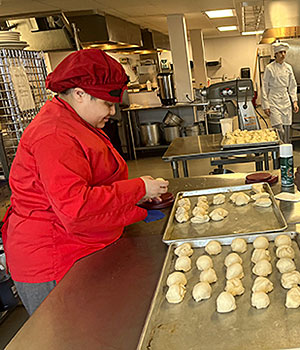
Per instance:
(192,326)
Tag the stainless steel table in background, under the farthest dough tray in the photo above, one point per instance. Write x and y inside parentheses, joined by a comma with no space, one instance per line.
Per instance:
(209,146)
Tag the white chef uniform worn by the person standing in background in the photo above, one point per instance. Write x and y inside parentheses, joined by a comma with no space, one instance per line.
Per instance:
(278,89)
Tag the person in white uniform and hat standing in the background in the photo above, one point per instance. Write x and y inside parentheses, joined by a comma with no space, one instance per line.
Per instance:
(279,92)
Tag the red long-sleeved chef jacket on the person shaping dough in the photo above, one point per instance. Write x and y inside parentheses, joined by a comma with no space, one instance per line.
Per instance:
(70,195)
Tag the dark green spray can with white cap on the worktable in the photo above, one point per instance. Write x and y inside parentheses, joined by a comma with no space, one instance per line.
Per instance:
(286,164)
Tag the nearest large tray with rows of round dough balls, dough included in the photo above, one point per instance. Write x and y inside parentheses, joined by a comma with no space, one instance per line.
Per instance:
(231,293)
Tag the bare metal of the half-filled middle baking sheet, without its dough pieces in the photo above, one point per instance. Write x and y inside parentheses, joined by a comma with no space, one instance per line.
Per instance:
(240,220)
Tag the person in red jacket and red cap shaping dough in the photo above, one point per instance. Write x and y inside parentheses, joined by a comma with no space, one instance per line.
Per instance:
(70,190)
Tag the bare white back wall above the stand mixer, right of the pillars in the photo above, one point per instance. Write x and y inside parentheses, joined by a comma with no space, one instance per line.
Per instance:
(235,52)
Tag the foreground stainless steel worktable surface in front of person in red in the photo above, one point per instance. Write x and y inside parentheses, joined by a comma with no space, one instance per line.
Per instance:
(103,301)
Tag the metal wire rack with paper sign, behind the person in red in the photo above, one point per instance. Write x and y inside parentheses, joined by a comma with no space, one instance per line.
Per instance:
(14,116)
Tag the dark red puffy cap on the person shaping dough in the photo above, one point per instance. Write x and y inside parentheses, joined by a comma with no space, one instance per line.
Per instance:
(92,70)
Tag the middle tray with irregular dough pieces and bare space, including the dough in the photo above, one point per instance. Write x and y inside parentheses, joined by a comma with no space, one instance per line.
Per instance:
(223,211)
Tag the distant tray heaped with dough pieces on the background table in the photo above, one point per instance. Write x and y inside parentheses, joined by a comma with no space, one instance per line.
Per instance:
(250,138)
